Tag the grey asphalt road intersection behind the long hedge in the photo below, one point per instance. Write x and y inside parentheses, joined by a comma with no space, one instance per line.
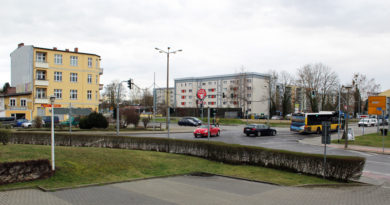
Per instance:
(376,170)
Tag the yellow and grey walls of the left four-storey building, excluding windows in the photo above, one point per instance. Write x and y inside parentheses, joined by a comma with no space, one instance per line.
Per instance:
(25,57)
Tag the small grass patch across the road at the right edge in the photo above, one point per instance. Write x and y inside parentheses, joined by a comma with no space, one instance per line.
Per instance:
(372,140)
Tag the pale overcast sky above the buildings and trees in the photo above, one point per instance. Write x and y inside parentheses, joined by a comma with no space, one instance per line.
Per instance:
(217,36)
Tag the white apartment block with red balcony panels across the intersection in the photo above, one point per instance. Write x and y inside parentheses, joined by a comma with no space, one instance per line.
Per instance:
(249,91)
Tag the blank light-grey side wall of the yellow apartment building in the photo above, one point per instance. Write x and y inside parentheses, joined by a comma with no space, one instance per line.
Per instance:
(22,69)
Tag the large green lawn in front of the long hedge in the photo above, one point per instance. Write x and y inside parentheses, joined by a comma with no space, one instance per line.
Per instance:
(77,166)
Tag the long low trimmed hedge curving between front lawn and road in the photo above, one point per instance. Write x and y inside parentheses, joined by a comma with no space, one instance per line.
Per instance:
(338,167)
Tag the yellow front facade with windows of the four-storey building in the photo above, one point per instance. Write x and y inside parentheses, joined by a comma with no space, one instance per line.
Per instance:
(55,75)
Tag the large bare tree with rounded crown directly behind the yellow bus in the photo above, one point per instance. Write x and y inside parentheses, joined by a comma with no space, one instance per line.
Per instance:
(317,80)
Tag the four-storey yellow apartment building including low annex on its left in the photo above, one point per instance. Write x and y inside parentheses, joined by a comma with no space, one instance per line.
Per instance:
(37,73)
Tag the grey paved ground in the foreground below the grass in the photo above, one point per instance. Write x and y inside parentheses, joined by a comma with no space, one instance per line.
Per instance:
(200,190)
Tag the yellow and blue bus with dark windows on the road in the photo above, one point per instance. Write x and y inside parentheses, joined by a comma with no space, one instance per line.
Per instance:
(312,122)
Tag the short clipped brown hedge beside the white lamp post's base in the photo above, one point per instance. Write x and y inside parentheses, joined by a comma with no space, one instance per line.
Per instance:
(11,172)
